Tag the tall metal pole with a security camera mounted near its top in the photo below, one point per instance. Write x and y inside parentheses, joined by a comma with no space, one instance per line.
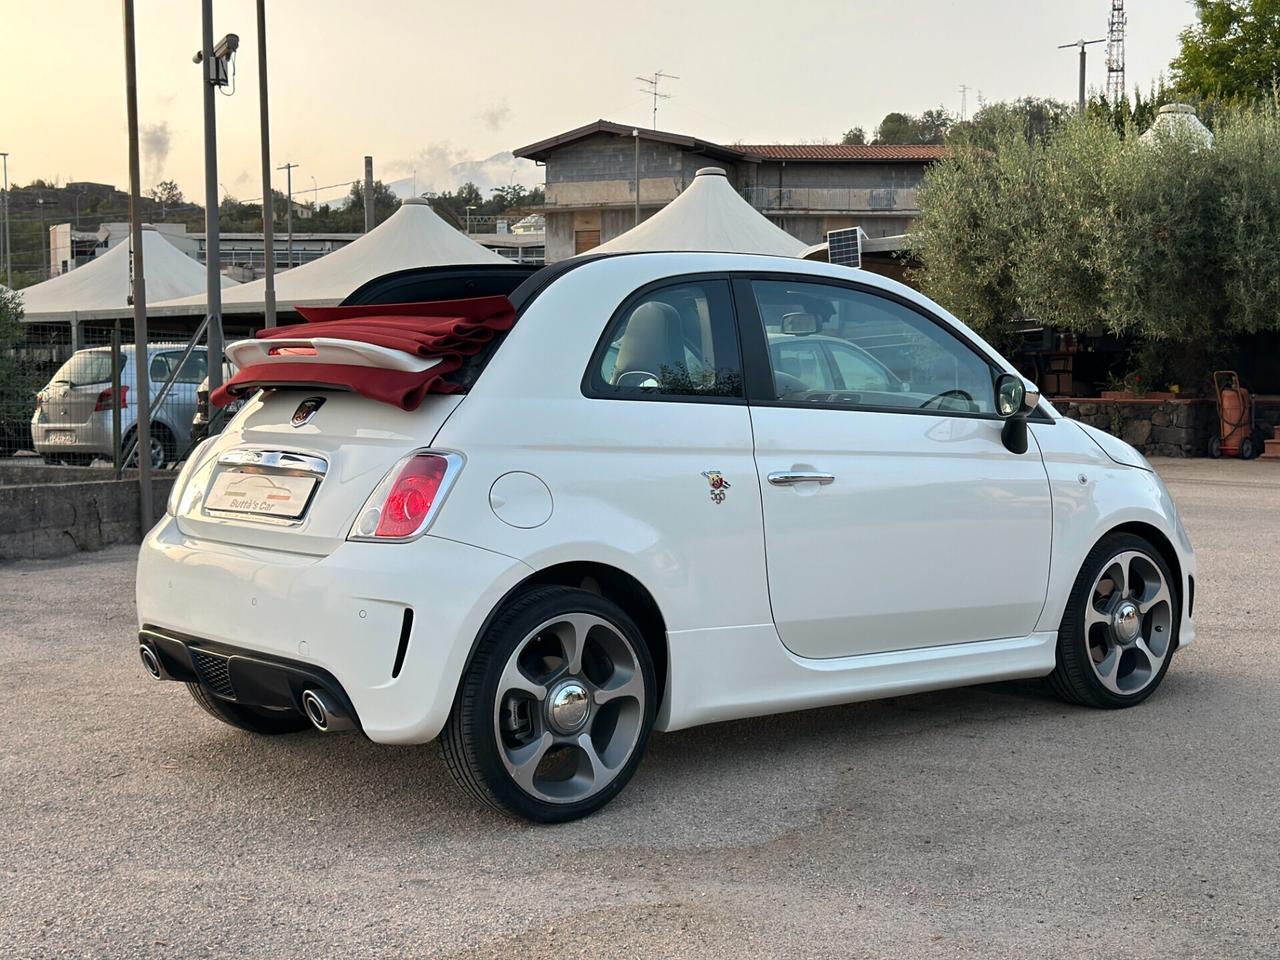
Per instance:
(214,68)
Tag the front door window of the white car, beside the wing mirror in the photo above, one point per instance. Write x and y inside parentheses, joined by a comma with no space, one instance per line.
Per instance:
(883,354)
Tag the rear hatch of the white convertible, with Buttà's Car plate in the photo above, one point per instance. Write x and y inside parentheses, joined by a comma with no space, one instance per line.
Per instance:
(273,483)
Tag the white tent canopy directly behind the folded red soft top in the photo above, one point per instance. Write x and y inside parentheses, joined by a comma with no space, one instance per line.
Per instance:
(414,236)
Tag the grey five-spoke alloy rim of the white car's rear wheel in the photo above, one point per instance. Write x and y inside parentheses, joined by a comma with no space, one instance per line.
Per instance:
(570,708)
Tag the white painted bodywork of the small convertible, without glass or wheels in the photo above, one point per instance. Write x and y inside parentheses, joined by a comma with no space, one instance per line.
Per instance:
(552,477)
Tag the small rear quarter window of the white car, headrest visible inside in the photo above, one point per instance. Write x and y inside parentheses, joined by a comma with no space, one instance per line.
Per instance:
(675,341)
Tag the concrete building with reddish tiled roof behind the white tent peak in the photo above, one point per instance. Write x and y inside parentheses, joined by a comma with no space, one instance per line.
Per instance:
(807,190)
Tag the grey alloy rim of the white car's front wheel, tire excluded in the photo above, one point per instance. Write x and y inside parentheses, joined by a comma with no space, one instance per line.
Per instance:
(1128,623)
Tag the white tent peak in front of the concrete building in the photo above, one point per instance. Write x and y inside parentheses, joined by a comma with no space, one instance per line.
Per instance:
(710,216)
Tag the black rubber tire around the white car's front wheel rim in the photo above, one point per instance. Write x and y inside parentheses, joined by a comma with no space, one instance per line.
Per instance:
(1075,679)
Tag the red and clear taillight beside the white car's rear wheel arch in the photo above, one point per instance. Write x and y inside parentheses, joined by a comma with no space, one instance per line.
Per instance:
(406,501)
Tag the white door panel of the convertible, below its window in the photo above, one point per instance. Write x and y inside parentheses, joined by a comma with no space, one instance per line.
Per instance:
(931,534)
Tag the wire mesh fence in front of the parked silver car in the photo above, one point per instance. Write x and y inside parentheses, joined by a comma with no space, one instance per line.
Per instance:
(72,397)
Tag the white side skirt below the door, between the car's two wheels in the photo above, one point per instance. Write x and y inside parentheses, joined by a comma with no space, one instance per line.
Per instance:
(735,673)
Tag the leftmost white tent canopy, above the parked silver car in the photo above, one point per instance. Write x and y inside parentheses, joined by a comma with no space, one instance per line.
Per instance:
(100,289)
